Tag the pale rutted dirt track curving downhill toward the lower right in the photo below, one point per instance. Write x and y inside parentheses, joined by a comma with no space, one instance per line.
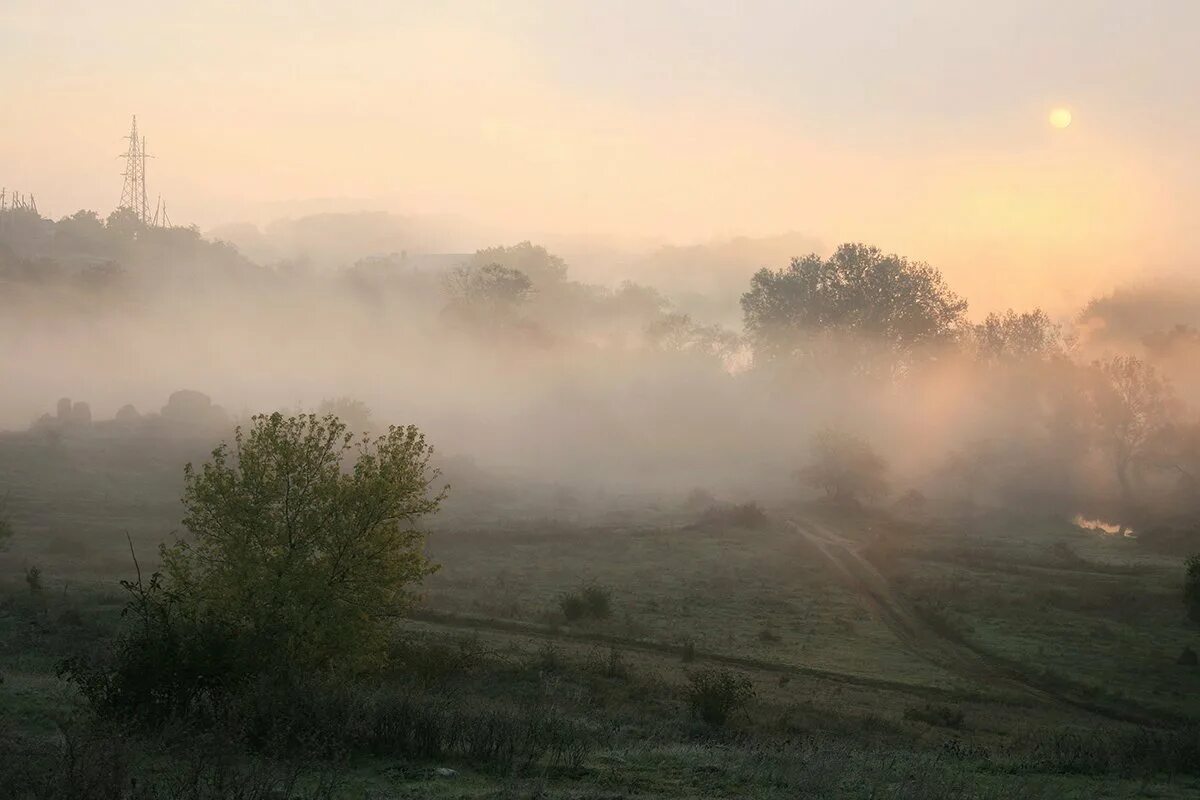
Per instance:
(926,642)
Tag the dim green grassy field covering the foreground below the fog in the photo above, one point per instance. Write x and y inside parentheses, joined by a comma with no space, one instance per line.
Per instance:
(927,657)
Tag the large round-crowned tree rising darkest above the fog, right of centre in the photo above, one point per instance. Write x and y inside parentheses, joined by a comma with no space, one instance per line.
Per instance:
(856,303)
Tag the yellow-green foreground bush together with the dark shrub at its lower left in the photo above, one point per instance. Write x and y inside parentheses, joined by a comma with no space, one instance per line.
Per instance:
(297,563)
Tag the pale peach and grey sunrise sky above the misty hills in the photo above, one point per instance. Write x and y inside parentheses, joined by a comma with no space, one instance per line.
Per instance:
(920,127)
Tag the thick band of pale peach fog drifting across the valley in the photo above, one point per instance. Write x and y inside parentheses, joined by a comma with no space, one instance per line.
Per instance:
(650,386)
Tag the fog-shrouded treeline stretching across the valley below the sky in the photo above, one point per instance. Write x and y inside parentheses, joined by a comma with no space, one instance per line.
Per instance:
(871,352)
